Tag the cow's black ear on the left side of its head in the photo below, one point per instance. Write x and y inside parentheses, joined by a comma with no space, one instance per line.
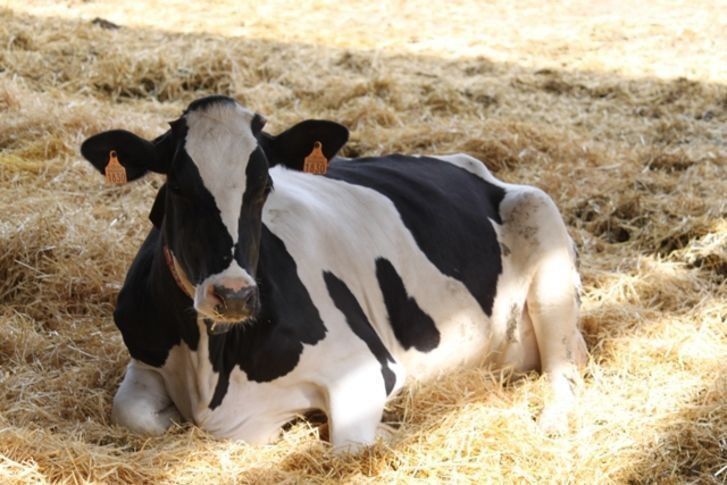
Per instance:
(134,153)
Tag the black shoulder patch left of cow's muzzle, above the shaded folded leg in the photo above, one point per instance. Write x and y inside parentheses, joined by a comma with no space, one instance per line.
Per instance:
(152,313)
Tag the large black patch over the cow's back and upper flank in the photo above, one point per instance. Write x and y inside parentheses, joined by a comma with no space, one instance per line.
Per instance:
(446,209)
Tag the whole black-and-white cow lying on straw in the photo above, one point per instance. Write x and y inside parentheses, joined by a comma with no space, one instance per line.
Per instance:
(262,291)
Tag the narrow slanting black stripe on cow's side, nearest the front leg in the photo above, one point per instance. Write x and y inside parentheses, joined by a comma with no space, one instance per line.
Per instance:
(356,319)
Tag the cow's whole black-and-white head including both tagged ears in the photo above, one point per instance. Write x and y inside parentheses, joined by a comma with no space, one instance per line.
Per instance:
(216,158)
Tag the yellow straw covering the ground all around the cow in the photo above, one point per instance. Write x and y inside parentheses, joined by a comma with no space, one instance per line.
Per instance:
(619,112)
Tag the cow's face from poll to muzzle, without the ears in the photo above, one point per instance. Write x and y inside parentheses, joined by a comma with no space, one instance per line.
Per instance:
(217,184)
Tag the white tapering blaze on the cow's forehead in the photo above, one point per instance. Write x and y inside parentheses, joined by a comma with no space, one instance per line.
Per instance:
(219,142)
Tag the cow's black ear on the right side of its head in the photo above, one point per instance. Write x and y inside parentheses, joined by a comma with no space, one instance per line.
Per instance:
(291,147)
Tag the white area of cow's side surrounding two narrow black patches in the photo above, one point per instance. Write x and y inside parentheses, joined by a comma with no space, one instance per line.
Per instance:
(323,222)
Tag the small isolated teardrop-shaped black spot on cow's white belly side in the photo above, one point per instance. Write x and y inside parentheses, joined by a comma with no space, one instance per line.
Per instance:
(412,327)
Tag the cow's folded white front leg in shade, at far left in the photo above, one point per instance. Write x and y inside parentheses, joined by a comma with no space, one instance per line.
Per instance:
(142,404)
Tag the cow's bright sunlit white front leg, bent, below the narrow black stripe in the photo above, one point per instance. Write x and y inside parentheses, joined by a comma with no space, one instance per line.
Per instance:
(355,406)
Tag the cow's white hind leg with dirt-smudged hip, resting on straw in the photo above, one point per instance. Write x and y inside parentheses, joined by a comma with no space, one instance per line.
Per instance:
(544,252)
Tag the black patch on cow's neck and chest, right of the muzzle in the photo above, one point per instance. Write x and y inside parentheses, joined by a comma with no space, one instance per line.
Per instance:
(269,347)
